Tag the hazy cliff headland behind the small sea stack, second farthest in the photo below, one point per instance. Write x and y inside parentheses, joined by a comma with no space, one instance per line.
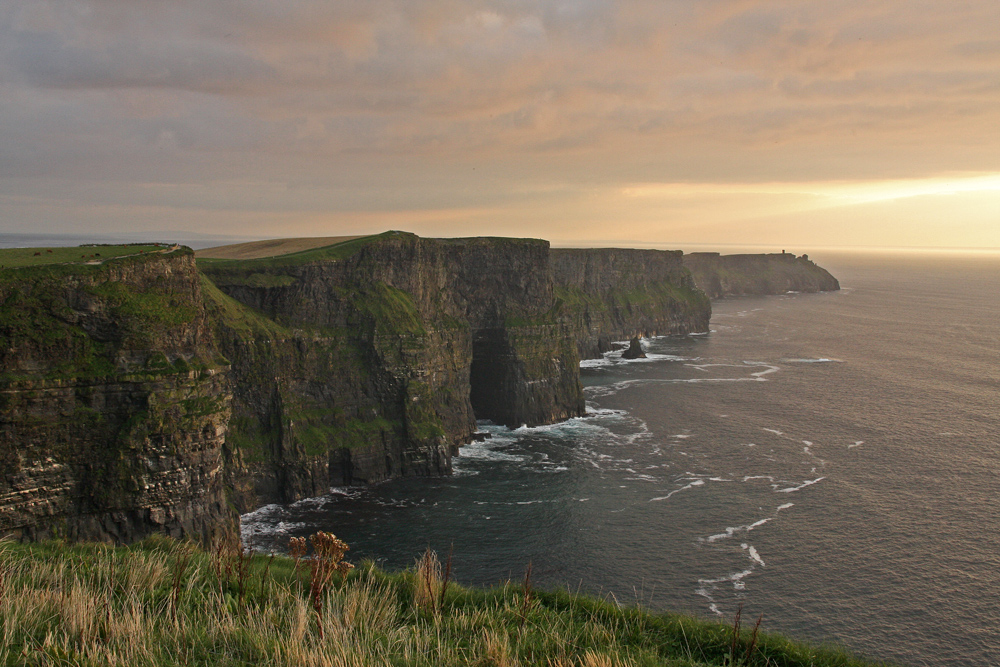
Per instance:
(617,294)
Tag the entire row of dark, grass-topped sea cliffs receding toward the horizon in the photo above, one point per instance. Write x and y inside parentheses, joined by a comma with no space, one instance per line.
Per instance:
(144,393)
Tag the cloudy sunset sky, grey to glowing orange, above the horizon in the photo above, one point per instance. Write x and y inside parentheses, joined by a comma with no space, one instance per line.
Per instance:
(802,124)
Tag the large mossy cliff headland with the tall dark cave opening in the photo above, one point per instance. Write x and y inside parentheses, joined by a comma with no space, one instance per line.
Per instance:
(385,352)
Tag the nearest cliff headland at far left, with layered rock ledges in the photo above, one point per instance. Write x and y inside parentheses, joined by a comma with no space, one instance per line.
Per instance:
(113,408)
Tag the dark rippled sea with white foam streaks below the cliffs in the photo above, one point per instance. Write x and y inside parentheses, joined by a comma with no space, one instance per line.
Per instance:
(829,460)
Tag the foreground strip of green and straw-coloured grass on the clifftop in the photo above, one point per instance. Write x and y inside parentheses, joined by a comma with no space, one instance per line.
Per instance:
(162,602)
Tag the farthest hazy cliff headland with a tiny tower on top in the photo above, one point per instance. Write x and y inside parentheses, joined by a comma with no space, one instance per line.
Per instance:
(735,275)
